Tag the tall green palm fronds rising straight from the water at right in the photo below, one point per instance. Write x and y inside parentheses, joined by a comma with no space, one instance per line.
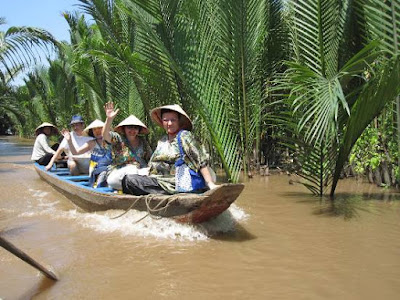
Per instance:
(317,81)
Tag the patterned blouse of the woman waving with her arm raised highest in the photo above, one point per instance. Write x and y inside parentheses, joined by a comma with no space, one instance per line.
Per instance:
(123,154)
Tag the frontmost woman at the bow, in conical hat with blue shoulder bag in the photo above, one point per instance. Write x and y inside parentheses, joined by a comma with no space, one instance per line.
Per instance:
(162,179)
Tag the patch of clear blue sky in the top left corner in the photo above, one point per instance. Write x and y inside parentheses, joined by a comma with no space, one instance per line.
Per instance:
(44,14)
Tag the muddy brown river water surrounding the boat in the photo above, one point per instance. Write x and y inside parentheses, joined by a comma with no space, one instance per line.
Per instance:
(276,242)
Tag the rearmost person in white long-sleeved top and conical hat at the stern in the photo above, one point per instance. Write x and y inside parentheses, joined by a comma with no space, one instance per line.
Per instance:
(42,152)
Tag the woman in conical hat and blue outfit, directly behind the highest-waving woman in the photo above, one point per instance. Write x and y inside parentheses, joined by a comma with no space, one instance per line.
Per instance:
(100,157)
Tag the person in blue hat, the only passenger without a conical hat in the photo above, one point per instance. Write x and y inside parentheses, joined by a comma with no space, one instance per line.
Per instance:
(77,164)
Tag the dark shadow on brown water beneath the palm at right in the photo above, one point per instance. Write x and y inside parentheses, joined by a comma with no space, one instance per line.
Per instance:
(346,205)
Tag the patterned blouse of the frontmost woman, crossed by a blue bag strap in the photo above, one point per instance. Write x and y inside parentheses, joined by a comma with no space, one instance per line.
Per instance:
(162,163)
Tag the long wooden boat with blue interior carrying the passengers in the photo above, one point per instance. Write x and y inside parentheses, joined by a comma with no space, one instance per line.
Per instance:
(182,207)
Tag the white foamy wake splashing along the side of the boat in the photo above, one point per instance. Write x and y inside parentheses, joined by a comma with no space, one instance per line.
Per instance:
(137,223)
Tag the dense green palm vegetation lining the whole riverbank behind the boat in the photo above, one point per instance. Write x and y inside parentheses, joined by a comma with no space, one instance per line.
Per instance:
(293,83)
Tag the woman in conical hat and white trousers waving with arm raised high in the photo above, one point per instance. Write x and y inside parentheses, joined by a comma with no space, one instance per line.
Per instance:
(130,152)
